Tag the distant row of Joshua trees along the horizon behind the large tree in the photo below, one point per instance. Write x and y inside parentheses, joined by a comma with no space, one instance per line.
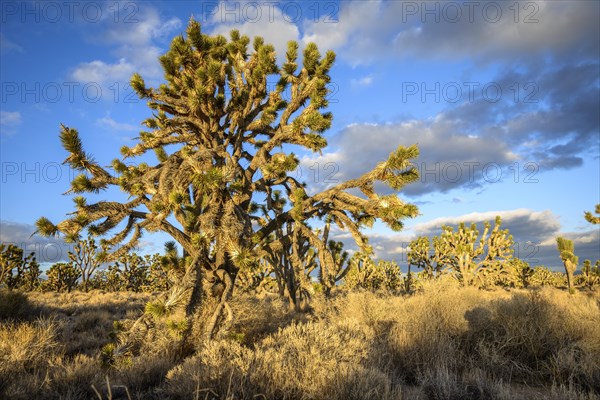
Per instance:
(473,258)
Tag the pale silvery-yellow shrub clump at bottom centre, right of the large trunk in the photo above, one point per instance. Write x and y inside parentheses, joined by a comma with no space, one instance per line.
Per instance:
(311,360)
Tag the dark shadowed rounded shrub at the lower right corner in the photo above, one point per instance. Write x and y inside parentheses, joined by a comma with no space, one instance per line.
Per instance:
(538,337)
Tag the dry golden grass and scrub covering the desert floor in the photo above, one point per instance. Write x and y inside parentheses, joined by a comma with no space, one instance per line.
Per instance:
(442,343)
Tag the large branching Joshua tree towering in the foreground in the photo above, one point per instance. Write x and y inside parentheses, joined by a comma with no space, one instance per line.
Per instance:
(215,130)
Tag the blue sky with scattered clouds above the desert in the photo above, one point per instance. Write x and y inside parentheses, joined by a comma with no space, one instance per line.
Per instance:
(501,97)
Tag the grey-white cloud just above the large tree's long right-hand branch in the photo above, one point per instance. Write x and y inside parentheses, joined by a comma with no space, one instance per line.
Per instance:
(458,163)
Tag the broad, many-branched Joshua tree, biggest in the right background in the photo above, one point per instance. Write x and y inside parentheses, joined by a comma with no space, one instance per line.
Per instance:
(475,260)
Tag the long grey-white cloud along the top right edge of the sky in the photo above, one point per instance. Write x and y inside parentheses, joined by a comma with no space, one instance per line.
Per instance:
(371,30)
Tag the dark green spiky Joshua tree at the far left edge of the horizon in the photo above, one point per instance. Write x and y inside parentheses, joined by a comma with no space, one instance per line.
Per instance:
(16,269)
